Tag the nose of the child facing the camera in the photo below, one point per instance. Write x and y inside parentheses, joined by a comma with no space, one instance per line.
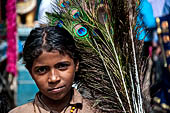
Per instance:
(54,76)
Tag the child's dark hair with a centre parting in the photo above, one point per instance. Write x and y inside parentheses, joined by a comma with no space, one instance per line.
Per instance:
(48,39)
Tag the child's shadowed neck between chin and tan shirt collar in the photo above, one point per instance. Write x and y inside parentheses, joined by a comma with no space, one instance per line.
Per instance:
(56,105)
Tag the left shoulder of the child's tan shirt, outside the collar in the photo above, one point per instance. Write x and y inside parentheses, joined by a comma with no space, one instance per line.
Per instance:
(26,108)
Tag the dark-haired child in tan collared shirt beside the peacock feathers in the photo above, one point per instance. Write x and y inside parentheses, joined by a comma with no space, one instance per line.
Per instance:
(51,57)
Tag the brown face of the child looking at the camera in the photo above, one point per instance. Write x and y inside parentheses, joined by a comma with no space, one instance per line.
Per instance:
(54,74)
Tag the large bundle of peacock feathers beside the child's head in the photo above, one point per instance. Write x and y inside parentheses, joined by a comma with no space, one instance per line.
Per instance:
(111,63)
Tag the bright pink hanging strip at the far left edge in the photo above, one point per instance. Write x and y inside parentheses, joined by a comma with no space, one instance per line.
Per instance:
(11,37)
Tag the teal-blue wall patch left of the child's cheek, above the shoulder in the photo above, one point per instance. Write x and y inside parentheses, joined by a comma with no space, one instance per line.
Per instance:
(26,86)
